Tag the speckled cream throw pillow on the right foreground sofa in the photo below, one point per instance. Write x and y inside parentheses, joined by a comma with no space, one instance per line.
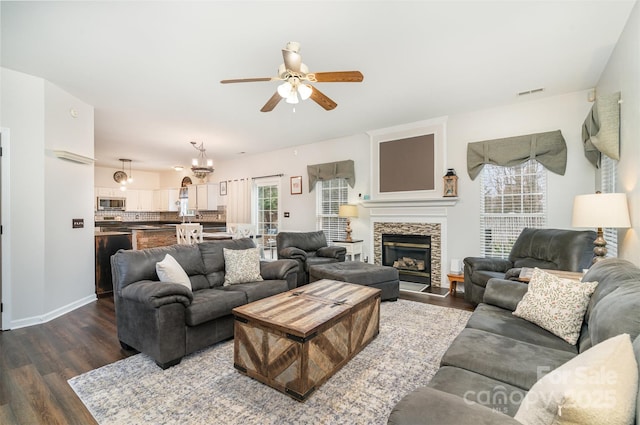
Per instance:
(555,304)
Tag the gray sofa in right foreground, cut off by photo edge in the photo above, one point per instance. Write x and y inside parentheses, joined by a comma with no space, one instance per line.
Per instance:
(490,366)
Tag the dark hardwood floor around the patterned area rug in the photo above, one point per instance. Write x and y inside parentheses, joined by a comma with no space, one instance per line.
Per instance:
(37,361)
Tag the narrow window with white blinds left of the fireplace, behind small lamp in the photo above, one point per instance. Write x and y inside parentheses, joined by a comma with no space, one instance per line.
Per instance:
(331,194)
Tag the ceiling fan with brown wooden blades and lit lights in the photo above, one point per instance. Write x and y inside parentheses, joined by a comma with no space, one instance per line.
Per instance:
(296,77)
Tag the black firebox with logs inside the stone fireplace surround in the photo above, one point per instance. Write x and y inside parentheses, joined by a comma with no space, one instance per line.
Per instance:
(410,254)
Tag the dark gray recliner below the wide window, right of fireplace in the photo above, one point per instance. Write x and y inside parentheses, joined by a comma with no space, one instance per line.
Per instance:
(554,249)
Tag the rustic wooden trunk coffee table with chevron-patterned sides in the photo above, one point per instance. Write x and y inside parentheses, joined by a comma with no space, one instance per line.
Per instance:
(296,340)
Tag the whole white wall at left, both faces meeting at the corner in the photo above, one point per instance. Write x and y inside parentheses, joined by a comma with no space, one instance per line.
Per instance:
(51,264)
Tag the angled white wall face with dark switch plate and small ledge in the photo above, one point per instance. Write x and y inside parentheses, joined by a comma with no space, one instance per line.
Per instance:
(69,253)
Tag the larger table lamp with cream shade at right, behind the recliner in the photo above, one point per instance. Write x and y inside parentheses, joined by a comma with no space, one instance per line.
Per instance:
(601,210)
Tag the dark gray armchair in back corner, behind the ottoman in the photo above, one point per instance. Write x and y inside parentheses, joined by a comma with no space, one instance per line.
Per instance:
(308,249)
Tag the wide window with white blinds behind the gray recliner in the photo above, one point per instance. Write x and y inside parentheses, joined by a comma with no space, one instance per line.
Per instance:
(512,198)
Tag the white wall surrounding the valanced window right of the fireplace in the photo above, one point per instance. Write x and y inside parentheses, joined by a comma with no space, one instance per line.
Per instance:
(565,113)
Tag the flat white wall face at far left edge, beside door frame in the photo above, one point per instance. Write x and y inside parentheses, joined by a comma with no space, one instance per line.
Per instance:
(23,113)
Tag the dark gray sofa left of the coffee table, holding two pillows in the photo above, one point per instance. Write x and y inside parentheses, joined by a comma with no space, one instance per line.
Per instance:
(167,321)
